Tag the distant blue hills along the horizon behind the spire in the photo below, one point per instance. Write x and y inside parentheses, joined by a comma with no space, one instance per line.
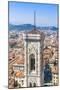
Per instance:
(30,27)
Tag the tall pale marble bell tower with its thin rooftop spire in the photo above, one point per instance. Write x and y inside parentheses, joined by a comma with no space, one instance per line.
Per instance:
(33,65)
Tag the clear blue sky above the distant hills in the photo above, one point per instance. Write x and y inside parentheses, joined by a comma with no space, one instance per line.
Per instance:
(23,13)
